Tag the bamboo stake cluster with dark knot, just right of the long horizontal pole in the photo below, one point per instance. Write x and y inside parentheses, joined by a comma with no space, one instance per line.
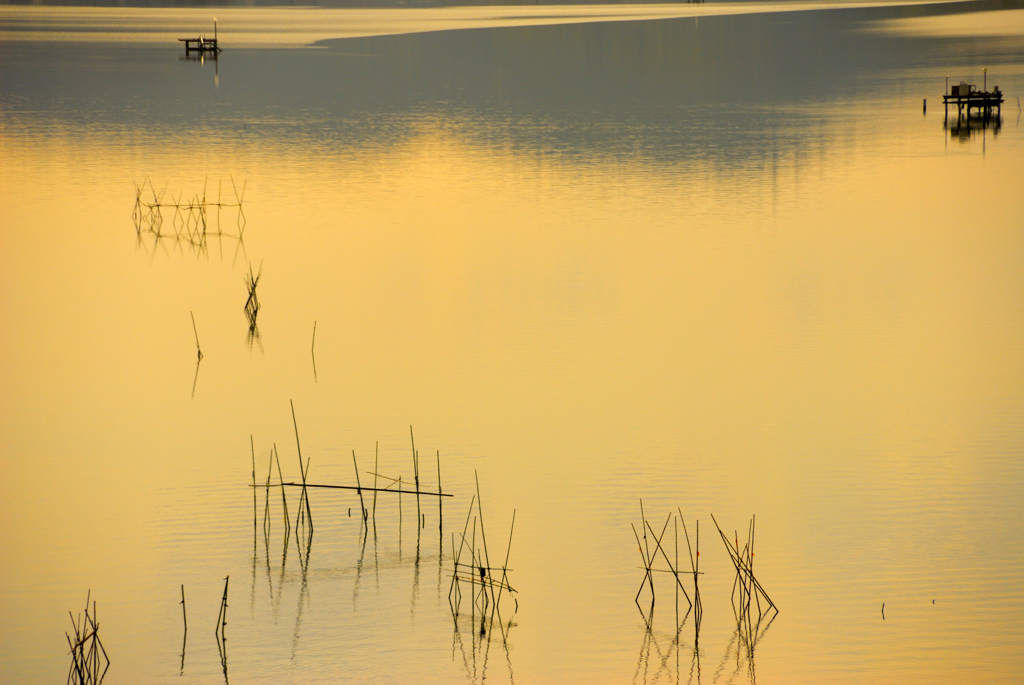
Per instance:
(472,567)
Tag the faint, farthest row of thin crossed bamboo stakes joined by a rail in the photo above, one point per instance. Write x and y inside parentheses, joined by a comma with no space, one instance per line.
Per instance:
(193,220)
